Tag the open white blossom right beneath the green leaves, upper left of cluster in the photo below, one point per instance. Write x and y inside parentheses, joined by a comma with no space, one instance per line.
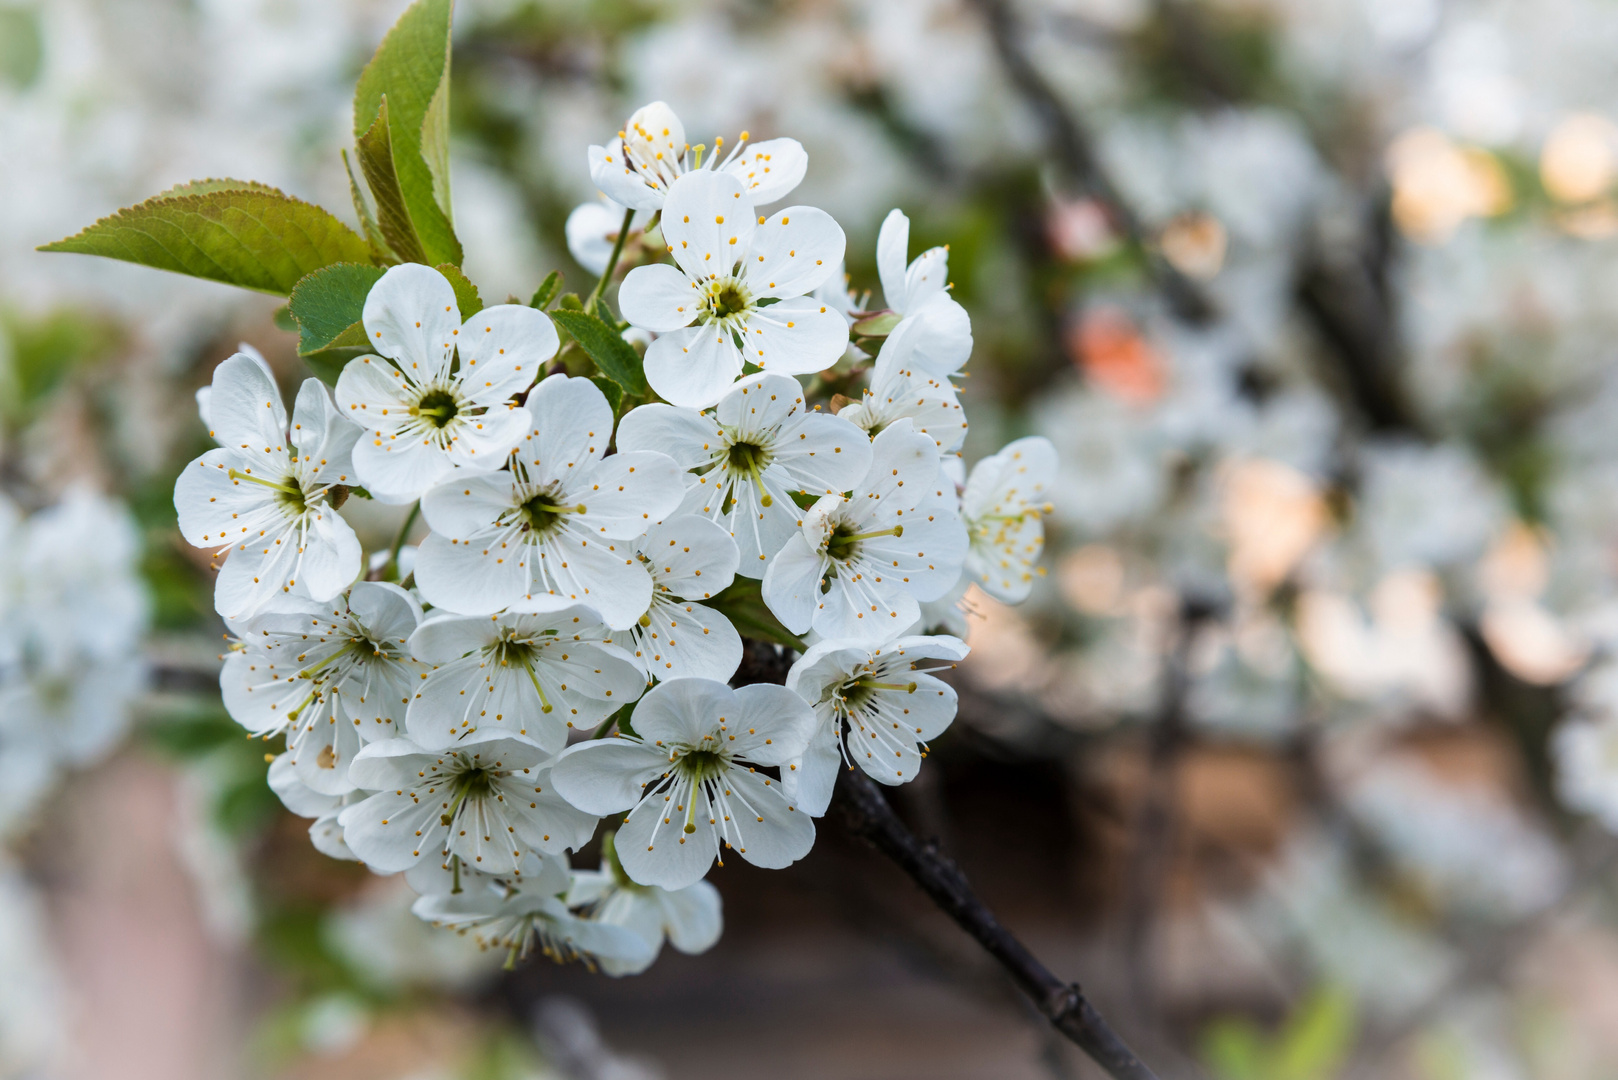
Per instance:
(425,417)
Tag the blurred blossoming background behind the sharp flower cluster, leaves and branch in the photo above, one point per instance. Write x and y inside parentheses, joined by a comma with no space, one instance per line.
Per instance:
(1305,754)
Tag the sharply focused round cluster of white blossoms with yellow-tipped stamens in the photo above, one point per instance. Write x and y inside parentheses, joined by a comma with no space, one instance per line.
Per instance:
(561,653)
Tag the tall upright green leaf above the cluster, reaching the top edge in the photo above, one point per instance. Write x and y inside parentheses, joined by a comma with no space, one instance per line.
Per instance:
(412,70)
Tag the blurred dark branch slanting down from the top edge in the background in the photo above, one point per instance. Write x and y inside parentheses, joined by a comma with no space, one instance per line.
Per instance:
(1075,155)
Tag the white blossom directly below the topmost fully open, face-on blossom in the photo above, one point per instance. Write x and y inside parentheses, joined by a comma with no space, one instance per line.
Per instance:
(747,457)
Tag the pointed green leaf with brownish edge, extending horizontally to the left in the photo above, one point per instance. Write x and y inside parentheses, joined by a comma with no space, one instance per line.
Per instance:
(252,237)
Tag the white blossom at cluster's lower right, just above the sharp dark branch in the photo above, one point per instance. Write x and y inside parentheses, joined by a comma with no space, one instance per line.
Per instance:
(876,708)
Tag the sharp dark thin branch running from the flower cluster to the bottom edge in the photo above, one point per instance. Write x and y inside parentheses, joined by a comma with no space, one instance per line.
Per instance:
(862,809)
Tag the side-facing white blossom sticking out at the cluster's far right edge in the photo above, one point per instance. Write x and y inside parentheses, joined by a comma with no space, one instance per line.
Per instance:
(1002,509)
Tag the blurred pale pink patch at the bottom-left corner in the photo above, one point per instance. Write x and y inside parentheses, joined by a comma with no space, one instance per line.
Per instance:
(150,992)
